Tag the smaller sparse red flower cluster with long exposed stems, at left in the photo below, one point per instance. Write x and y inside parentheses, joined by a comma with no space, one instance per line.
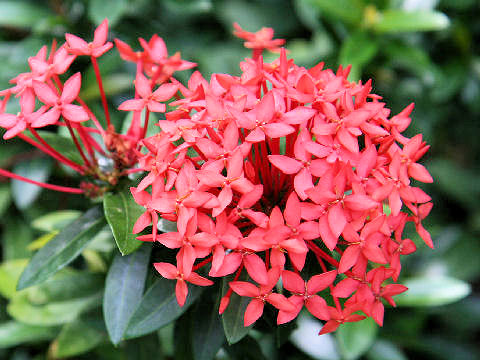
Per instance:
(56,106)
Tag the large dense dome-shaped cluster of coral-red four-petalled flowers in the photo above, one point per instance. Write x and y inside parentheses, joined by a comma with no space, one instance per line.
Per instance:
(263,169)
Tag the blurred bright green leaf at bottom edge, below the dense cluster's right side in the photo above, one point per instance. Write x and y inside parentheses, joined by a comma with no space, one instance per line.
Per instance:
(354,339)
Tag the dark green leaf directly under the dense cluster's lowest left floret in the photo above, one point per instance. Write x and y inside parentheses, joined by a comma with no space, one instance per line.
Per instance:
(159,307)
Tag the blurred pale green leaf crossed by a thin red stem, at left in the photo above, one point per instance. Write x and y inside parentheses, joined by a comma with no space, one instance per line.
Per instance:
(25,193)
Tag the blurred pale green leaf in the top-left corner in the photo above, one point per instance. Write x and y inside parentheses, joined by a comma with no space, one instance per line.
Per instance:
(21,14)
